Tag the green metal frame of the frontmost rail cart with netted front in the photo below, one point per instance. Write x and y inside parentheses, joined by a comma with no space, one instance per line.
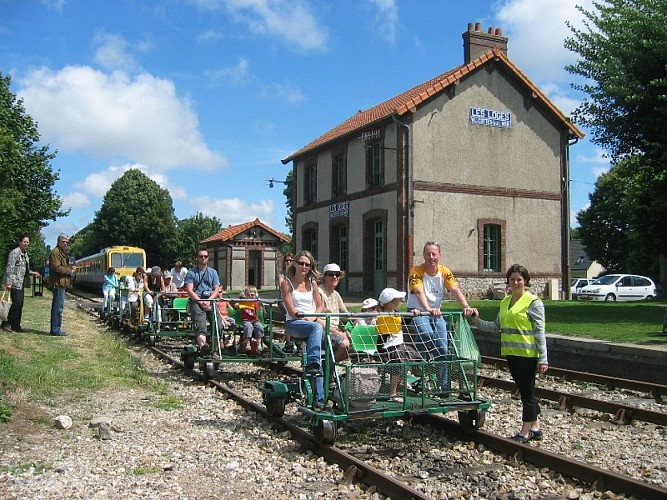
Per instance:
(360,386)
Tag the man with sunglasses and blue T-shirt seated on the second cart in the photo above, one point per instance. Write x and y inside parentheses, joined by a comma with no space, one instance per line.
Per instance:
(202,283)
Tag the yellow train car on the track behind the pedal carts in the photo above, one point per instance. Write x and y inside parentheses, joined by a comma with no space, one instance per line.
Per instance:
(90,270)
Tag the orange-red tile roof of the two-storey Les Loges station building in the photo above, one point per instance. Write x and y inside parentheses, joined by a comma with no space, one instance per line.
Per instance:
(410,99)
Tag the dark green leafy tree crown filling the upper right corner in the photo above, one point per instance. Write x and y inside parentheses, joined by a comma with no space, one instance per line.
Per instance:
(623,50)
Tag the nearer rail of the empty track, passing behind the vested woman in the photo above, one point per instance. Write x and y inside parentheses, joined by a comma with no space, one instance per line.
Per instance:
(623,413)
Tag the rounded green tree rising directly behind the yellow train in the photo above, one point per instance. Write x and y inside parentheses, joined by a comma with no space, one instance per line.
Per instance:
(137,212)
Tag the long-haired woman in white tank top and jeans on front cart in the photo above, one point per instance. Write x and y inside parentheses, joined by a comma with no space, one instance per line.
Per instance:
(300,295)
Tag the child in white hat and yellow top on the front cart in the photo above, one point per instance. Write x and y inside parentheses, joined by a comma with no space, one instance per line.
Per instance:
(391,345)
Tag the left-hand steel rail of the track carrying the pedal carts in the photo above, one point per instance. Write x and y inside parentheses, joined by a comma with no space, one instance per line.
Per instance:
(388,485)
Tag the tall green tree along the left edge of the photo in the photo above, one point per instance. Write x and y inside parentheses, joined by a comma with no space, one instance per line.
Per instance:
(27,199)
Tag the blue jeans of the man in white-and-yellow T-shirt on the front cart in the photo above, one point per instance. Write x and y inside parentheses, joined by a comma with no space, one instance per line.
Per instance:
(429,335)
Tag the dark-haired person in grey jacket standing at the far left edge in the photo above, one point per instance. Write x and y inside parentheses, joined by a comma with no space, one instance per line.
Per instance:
(17,277)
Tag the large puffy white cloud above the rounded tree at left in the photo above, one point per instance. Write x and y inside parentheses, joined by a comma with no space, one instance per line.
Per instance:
(116,116)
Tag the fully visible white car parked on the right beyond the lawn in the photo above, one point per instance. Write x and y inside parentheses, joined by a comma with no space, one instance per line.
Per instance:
(619,287)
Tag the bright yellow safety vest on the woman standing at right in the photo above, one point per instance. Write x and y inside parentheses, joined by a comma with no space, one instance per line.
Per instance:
(517,337)
